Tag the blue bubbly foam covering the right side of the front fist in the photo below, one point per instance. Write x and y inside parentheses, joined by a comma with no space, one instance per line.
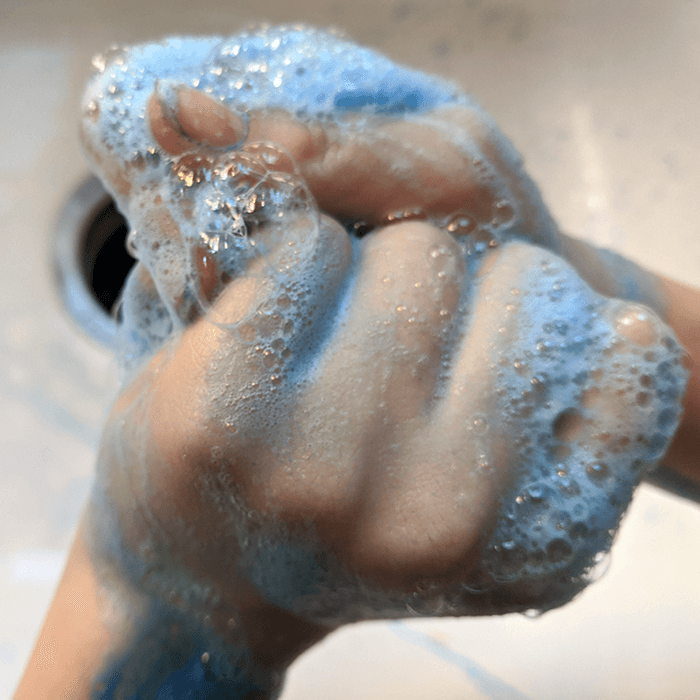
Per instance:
(571,398)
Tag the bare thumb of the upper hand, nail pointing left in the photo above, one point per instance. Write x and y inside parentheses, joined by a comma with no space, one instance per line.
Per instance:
(352,171)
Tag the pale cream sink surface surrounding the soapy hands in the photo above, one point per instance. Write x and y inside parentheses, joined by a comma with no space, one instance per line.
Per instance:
(595,95)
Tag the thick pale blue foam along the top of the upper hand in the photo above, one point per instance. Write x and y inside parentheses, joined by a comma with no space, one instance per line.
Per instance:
(306,71)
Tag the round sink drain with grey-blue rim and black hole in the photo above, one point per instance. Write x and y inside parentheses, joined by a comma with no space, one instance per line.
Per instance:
(91,260)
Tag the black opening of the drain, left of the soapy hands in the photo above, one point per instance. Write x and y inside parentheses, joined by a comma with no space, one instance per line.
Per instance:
(105,261)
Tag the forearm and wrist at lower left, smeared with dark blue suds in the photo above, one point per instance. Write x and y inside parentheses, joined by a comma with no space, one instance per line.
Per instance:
(100,639)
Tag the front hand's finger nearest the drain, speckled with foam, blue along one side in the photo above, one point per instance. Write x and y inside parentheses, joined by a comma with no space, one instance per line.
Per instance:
(259,333)
